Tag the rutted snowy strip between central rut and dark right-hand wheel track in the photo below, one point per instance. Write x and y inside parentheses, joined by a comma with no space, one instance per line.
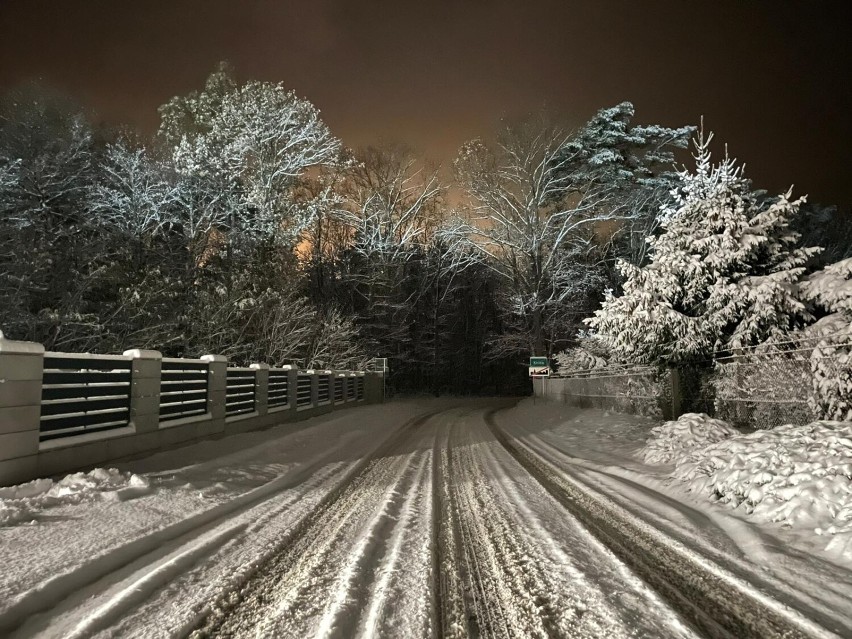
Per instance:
(533,571)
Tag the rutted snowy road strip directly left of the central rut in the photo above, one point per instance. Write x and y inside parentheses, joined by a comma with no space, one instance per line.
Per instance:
(346,552)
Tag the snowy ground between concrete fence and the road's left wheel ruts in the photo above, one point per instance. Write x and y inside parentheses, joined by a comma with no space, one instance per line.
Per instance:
(145,566)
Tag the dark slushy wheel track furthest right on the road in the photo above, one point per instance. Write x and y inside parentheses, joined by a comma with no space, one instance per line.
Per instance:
(709,601)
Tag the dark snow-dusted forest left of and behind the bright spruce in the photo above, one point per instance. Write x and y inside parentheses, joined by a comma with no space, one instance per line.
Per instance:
(245,228)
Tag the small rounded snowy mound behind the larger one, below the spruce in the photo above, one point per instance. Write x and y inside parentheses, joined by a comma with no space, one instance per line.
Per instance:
(691,431)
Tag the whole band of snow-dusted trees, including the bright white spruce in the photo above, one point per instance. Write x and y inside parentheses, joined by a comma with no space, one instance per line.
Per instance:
(246,228)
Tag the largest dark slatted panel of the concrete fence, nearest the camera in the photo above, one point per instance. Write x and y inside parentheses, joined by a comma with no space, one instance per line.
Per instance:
(84,393)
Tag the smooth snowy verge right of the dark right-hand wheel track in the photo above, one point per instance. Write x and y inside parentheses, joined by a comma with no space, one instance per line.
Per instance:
(605,453)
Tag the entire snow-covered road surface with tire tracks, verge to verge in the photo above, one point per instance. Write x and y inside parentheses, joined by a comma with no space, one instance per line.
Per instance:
(415,519)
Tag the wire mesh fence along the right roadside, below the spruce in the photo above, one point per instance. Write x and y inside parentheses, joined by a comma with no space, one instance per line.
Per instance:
(758,388)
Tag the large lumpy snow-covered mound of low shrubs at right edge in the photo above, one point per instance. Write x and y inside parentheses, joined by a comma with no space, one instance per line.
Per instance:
(800,476)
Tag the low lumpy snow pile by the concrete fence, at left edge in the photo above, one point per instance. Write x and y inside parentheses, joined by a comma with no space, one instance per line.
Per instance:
(24,502)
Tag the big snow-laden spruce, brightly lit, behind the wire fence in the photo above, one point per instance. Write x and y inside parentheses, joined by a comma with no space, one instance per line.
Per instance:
(722,274)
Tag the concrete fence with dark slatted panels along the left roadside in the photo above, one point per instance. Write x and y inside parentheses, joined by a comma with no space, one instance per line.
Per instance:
(62,412)
